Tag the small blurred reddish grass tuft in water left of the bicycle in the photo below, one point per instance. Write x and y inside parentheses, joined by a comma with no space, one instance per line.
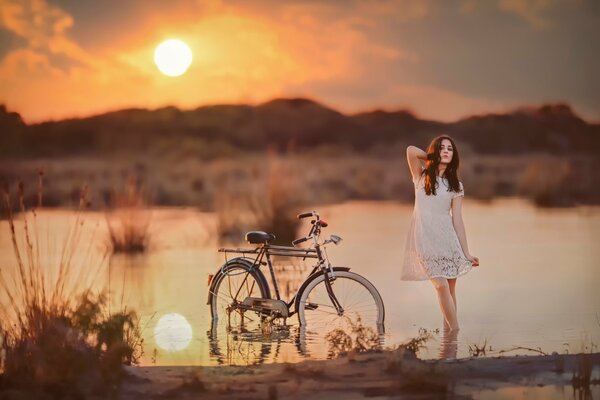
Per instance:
(128,220)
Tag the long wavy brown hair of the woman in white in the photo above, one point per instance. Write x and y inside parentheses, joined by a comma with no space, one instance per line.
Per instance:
(431,166)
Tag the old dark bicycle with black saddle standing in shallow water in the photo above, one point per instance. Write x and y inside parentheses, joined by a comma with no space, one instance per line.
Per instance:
(328,295)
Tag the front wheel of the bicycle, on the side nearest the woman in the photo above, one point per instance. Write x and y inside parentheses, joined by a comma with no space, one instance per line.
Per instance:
(360,300)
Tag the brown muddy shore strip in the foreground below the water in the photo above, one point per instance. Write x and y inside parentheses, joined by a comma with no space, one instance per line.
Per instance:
(390,374)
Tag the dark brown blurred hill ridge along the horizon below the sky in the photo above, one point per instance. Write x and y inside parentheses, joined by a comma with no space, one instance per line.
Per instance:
(300,123)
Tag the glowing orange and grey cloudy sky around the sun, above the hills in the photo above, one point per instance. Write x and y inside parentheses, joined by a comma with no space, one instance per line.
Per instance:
(443,60)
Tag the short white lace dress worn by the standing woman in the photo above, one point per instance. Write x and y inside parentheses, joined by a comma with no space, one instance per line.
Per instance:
(432,247)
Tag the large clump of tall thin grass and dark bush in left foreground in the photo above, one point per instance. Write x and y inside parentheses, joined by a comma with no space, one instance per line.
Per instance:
(56,337)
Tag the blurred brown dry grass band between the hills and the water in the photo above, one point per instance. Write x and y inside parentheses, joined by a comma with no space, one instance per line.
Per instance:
(320,178)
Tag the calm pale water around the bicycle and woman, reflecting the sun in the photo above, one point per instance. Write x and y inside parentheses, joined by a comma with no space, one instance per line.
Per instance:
(536,287)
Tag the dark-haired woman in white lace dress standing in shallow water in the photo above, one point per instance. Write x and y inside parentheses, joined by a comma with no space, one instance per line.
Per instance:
(436,247)
